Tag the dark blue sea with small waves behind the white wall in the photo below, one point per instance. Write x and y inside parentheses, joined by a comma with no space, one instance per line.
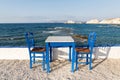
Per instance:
(13,34)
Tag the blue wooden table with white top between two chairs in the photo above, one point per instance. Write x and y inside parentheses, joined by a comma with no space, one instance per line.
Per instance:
(60,41)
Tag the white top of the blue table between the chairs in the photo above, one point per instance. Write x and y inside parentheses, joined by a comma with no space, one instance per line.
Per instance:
(59,39)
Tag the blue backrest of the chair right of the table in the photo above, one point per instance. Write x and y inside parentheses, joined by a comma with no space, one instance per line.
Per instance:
(91,40)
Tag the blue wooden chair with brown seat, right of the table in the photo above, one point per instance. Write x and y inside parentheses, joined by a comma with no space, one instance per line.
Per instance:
(86,52)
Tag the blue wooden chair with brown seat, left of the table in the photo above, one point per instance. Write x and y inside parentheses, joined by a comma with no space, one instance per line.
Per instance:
(34,52)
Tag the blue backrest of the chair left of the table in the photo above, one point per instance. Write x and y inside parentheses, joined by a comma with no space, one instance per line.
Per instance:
(29,40)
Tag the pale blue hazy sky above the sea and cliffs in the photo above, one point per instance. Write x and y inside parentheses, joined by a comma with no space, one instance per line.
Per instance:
(15,11)
